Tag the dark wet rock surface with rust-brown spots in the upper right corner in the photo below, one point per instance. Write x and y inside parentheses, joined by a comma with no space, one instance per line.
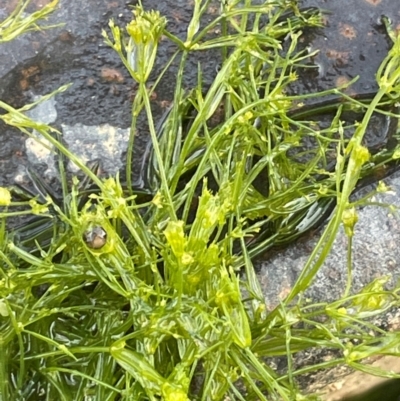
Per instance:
(352,43)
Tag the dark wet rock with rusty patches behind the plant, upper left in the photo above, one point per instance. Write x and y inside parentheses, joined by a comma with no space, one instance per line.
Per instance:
(102,91)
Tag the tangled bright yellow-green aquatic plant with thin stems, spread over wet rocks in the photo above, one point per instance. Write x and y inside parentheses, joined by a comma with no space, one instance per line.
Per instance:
(114,292)
